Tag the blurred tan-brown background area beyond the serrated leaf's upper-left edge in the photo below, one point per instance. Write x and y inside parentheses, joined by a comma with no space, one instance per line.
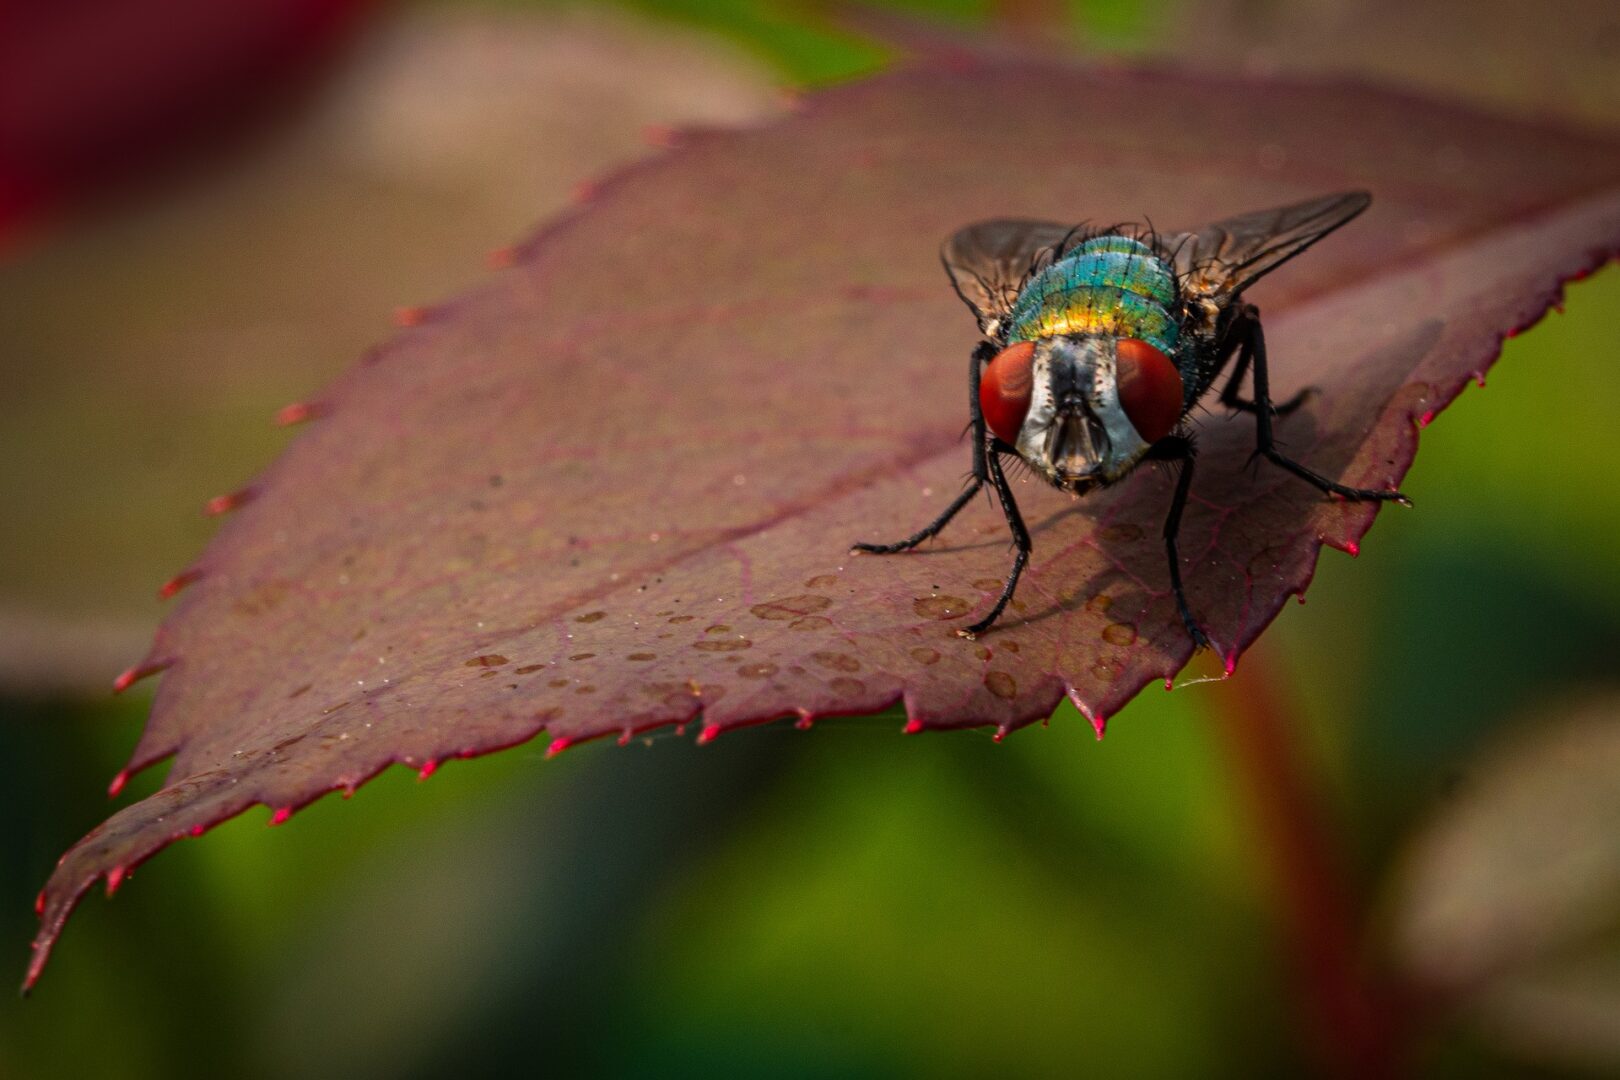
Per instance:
(148,347)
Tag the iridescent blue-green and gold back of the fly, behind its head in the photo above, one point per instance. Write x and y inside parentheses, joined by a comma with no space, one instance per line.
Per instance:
(1111,286)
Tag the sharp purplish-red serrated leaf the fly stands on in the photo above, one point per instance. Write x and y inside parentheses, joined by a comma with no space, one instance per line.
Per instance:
(616,488)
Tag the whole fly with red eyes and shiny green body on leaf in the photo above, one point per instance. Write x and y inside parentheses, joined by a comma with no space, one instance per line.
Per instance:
(1099,344)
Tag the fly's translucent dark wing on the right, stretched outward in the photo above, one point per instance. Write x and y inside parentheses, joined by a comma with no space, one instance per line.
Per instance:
(1224,258)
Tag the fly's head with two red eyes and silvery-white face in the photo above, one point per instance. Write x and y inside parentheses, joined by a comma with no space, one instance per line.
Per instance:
(1081,410)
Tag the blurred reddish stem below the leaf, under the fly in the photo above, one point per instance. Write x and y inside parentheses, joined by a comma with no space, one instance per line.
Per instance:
(1355,1027)
